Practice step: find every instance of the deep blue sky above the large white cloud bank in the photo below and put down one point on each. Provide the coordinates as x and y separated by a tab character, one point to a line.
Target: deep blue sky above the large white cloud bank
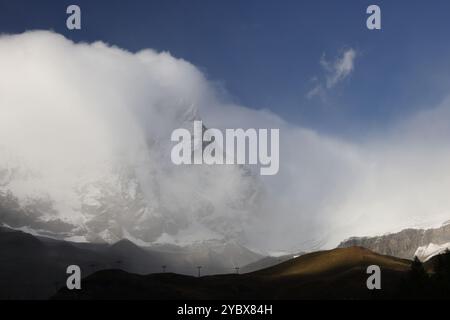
266	53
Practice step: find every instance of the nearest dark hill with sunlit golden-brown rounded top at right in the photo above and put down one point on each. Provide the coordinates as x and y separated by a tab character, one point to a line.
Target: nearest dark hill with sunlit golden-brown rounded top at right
333	274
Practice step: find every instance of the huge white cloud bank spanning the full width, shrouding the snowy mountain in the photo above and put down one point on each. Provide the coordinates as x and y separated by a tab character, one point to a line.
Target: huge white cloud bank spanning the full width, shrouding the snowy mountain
86	127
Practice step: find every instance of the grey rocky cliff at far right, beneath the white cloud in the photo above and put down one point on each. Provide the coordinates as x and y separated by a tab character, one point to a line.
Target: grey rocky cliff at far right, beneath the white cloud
403	244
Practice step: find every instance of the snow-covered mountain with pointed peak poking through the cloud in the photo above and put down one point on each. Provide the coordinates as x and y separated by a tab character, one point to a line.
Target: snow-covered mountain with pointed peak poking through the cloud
143	197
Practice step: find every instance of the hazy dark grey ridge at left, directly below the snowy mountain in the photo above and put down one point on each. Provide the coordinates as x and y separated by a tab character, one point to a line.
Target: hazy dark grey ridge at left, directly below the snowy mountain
35	267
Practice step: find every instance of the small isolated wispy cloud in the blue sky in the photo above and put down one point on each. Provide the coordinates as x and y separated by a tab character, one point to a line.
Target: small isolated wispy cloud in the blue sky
334	72
